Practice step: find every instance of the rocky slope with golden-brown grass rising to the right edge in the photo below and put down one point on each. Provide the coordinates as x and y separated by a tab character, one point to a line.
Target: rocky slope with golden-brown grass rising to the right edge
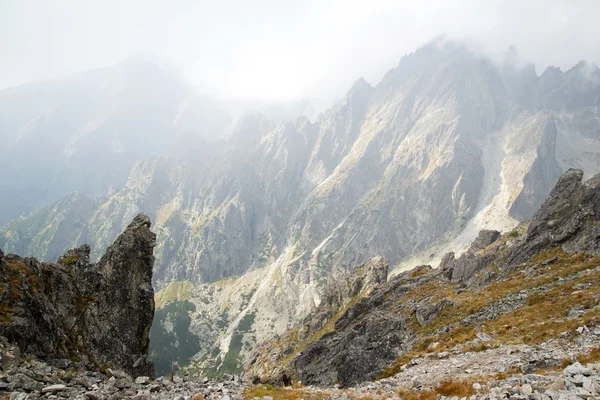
527	287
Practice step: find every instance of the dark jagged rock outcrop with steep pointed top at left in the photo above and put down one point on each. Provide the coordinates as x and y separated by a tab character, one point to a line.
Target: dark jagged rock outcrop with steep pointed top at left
99	314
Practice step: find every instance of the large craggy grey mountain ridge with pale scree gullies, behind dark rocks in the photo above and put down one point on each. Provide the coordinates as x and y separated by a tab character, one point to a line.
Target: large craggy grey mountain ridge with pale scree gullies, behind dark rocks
253	227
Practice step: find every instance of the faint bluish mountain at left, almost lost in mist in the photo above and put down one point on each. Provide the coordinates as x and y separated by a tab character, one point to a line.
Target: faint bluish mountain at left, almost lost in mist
85	133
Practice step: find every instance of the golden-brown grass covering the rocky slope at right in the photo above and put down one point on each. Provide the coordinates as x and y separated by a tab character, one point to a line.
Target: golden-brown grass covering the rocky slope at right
541	318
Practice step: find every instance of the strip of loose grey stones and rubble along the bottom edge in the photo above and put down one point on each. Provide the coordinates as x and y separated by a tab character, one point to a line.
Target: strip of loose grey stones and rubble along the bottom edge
507	371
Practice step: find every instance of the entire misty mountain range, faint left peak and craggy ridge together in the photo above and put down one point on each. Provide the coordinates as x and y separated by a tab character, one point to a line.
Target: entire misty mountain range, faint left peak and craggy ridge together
448	143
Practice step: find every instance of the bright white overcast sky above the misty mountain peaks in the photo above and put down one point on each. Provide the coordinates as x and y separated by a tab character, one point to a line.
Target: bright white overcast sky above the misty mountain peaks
280	49
